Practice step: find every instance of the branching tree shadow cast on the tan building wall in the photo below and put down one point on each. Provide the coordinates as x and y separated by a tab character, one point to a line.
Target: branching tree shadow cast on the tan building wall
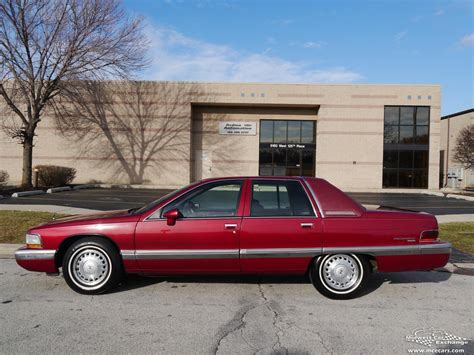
128	123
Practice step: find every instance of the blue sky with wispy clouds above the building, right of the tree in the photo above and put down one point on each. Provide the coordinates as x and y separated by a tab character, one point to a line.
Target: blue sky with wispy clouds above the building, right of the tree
351	41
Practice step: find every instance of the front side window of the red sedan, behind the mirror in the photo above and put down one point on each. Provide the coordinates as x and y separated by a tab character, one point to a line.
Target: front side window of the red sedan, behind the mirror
210	200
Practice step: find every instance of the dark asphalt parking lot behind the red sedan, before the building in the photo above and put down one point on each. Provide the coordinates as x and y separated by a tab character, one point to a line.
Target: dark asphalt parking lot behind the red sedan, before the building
115	198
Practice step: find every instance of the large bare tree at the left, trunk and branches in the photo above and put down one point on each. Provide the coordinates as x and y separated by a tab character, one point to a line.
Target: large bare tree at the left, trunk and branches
47	45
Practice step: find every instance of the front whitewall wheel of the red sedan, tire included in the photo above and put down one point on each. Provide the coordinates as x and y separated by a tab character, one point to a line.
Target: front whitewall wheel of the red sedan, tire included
92	266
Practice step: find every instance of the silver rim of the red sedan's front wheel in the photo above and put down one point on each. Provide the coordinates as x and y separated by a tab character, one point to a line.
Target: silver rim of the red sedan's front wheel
90	267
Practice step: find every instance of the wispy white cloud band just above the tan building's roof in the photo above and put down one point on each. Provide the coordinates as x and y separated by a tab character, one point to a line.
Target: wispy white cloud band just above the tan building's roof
178	57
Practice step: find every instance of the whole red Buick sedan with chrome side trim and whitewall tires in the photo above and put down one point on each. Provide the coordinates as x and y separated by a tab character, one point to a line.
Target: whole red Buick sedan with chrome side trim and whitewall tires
247	225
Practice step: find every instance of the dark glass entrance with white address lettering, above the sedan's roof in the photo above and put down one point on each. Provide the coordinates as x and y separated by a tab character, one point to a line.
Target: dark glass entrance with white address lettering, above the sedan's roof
287	148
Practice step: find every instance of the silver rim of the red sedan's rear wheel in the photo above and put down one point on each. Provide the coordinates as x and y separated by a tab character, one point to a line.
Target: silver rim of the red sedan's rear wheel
341	273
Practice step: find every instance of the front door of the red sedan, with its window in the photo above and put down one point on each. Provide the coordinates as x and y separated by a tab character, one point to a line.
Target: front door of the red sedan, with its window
204	239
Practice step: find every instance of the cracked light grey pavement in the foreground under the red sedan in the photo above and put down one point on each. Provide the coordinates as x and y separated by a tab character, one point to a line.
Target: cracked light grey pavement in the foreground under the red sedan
229	315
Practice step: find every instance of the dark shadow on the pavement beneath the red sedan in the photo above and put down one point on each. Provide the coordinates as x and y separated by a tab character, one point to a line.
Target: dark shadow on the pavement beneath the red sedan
376	280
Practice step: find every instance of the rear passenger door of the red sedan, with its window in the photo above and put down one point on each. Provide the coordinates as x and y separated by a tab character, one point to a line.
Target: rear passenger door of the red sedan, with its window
281	231
